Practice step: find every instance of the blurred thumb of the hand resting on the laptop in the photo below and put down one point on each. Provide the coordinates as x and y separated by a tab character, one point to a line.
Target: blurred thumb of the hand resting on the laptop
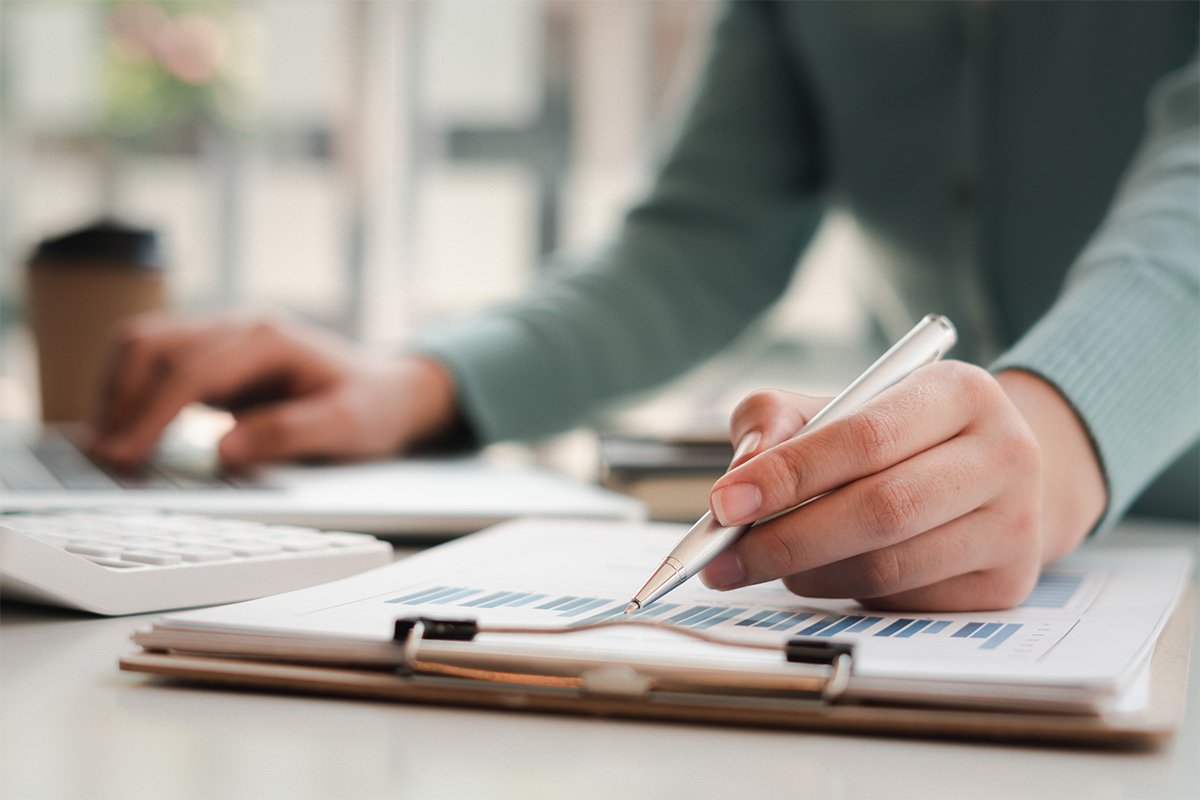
313	426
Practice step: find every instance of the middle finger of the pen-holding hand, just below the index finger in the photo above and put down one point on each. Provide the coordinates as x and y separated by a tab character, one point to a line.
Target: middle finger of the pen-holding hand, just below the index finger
920	495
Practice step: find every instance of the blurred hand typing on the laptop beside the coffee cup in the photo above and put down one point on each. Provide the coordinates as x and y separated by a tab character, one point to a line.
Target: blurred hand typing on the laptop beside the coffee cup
296	393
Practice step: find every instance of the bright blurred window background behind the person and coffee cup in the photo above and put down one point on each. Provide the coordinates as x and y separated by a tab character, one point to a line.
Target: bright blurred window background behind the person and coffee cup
375	166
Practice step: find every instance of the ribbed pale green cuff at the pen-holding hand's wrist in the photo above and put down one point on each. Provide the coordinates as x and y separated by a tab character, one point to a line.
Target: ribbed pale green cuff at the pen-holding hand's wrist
1123	346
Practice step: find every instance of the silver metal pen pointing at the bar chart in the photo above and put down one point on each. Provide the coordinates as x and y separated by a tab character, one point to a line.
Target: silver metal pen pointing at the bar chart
707	539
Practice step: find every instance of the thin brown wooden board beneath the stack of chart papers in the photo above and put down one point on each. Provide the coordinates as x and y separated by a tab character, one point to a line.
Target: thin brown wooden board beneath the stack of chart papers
1148	729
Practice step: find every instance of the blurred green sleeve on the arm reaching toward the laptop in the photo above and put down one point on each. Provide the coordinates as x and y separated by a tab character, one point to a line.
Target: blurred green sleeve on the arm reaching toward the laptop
713	244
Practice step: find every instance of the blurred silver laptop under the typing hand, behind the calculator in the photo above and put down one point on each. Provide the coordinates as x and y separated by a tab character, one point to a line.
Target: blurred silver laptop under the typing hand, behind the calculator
43	468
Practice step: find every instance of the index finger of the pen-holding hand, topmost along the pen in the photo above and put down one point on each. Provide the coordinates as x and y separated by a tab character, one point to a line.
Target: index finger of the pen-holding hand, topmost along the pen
937	404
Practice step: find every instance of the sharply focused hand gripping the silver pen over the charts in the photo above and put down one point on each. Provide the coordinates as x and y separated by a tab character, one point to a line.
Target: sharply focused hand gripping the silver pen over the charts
947	492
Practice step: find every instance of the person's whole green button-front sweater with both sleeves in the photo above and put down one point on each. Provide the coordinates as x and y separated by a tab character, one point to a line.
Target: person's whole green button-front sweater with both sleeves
1031	170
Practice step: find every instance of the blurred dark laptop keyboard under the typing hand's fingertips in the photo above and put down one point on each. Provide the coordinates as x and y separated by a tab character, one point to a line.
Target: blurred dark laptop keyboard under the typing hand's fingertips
51	462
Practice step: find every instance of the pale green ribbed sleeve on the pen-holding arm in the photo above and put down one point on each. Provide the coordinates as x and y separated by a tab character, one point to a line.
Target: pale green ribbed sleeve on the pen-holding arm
1123	342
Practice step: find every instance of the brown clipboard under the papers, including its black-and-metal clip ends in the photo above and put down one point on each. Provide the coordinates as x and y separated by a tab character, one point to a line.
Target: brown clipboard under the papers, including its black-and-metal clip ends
813	705
